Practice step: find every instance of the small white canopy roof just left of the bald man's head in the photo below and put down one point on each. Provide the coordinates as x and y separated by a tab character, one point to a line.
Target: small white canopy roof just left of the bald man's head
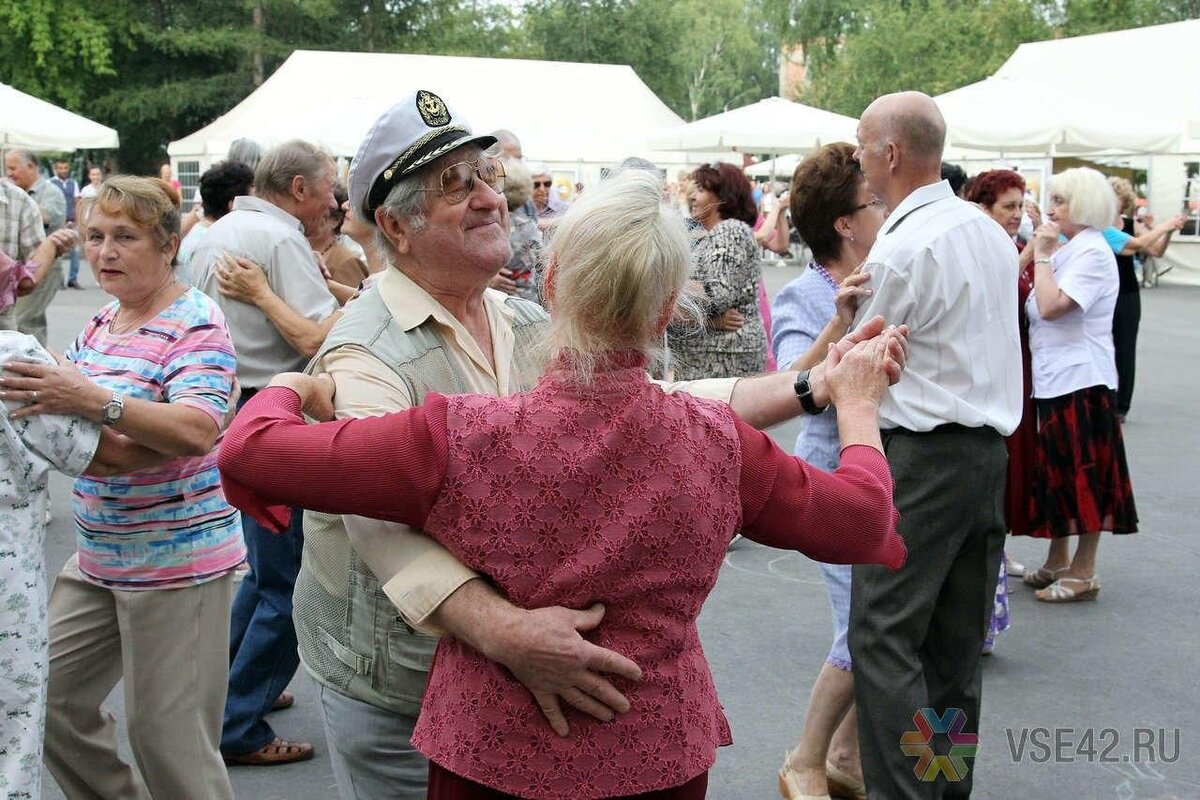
773	125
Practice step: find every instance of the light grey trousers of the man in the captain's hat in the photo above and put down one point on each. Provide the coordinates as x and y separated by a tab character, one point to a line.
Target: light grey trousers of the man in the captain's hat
370	750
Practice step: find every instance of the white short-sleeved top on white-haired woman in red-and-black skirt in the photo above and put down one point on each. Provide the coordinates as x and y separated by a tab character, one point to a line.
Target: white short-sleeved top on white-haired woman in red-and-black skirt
1076	351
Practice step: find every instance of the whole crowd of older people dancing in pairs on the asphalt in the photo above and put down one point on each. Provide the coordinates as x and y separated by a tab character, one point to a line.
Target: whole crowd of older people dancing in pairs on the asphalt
538	430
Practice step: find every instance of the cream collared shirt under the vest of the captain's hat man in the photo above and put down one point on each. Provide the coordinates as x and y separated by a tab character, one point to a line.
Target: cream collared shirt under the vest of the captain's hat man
417	573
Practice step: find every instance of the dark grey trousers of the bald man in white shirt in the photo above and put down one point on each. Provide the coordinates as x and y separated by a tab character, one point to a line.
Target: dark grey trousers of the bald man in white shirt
916	635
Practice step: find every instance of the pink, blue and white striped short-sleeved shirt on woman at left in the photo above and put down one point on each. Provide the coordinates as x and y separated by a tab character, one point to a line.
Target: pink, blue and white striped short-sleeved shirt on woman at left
170	526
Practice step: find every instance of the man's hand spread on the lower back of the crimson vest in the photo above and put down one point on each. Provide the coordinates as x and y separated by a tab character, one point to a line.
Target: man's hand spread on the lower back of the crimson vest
548	655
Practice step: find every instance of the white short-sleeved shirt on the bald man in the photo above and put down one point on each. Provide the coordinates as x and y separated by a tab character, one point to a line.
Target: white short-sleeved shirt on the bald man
949	272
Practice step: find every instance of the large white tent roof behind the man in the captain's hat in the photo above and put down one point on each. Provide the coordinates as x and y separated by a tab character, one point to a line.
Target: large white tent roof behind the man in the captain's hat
562	112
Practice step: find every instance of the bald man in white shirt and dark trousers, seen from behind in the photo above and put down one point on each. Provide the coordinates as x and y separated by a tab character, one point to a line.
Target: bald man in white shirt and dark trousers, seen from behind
944	268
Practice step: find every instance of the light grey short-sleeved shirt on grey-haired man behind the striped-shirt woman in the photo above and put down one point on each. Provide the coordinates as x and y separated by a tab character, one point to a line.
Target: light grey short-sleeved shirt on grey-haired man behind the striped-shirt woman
274	239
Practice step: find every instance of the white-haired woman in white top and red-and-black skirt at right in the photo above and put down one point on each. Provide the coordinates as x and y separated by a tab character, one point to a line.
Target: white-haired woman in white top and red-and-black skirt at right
1082	482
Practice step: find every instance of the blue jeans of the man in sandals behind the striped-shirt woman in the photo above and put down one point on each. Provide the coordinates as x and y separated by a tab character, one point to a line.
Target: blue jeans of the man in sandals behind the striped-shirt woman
263	654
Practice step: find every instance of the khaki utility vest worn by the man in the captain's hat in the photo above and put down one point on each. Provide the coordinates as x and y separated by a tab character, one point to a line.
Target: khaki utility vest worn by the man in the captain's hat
352	637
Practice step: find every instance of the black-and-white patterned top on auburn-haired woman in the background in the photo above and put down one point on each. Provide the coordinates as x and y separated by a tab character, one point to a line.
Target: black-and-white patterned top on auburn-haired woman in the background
727	264
